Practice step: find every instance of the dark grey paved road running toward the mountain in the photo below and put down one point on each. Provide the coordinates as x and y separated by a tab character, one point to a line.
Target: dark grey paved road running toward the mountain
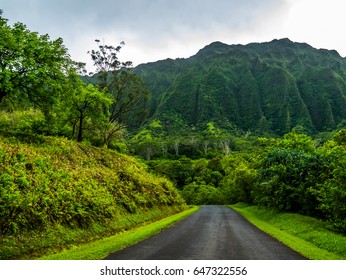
212	233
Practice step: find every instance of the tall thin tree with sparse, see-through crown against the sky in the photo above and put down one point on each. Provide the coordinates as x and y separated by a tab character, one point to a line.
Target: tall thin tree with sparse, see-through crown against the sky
127	90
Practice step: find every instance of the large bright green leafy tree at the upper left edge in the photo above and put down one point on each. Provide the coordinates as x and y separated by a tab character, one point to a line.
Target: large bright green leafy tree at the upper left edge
32	66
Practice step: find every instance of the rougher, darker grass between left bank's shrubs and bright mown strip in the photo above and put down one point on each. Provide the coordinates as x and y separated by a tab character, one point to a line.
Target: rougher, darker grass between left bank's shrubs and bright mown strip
52	240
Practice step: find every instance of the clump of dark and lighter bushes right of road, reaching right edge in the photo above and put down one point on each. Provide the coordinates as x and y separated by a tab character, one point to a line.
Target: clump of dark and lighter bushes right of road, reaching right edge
296	176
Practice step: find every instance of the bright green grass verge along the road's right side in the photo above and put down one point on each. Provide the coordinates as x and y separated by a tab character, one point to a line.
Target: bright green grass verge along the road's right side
306	235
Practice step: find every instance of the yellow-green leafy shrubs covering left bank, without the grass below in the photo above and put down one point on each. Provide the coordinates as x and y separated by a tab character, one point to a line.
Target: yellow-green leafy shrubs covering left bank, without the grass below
60	183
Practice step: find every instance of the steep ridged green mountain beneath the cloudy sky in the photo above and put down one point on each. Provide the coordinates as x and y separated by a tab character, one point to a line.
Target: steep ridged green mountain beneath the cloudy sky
261	87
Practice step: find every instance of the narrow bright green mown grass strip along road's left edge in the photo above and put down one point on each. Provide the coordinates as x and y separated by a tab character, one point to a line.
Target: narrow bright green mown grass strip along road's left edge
102	248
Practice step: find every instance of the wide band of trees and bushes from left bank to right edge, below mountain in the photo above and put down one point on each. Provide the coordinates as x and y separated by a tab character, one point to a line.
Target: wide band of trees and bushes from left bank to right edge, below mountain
292	173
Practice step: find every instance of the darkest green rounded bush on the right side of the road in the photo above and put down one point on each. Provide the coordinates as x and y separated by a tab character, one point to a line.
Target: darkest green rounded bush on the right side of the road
290	181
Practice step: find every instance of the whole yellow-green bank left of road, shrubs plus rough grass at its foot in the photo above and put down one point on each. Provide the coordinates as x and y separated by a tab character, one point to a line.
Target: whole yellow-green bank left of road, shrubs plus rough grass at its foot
54	187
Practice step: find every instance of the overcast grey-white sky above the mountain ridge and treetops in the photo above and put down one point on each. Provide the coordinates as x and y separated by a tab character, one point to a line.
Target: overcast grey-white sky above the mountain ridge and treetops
159	29
